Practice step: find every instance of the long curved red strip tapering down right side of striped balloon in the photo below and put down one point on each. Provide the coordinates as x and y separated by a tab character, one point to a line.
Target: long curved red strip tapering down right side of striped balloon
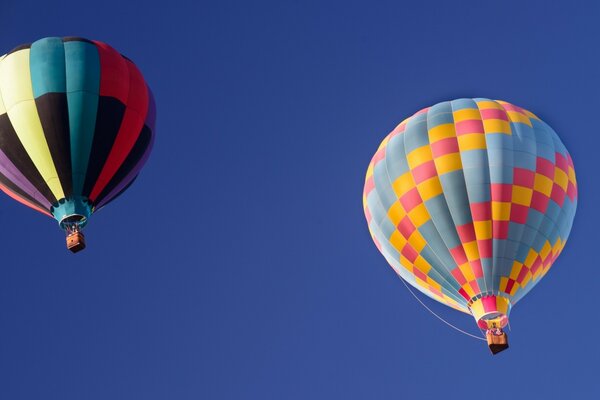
131	126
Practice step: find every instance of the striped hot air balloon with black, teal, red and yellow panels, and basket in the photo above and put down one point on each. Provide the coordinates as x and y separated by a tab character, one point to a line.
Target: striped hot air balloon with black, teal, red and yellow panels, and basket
76	126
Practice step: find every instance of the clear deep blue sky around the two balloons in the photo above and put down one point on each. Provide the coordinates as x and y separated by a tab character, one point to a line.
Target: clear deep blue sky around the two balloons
239	265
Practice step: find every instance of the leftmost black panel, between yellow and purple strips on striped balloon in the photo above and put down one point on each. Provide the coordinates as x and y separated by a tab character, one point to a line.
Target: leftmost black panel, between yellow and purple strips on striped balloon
14	150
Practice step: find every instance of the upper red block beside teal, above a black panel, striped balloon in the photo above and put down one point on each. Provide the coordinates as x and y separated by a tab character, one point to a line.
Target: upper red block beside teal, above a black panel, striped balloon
114	74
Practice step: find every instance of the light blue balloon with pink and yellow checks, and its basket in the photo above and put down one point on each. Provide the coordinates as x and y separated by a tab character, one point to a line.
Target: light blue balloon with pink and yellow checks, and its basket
471	201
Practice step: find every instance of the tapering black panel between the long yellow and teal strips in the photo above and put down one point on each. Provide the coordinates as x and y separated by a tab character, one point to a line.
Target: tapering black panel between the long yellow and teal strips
54	116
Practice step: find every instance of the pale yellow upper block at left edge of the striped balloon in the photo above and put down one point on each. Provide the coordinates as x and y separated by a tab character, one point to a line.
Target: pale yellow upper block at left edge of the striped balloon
15	78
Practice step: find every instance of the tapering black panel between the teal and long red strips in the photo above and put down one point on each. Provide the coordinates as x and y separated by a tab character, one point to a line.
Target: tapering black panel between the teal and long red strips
108	121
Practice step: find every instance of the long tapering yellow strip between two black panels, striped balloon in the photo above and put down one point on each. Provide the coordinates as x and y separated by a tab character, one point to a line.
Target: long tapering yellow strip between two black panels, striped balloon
25	120
